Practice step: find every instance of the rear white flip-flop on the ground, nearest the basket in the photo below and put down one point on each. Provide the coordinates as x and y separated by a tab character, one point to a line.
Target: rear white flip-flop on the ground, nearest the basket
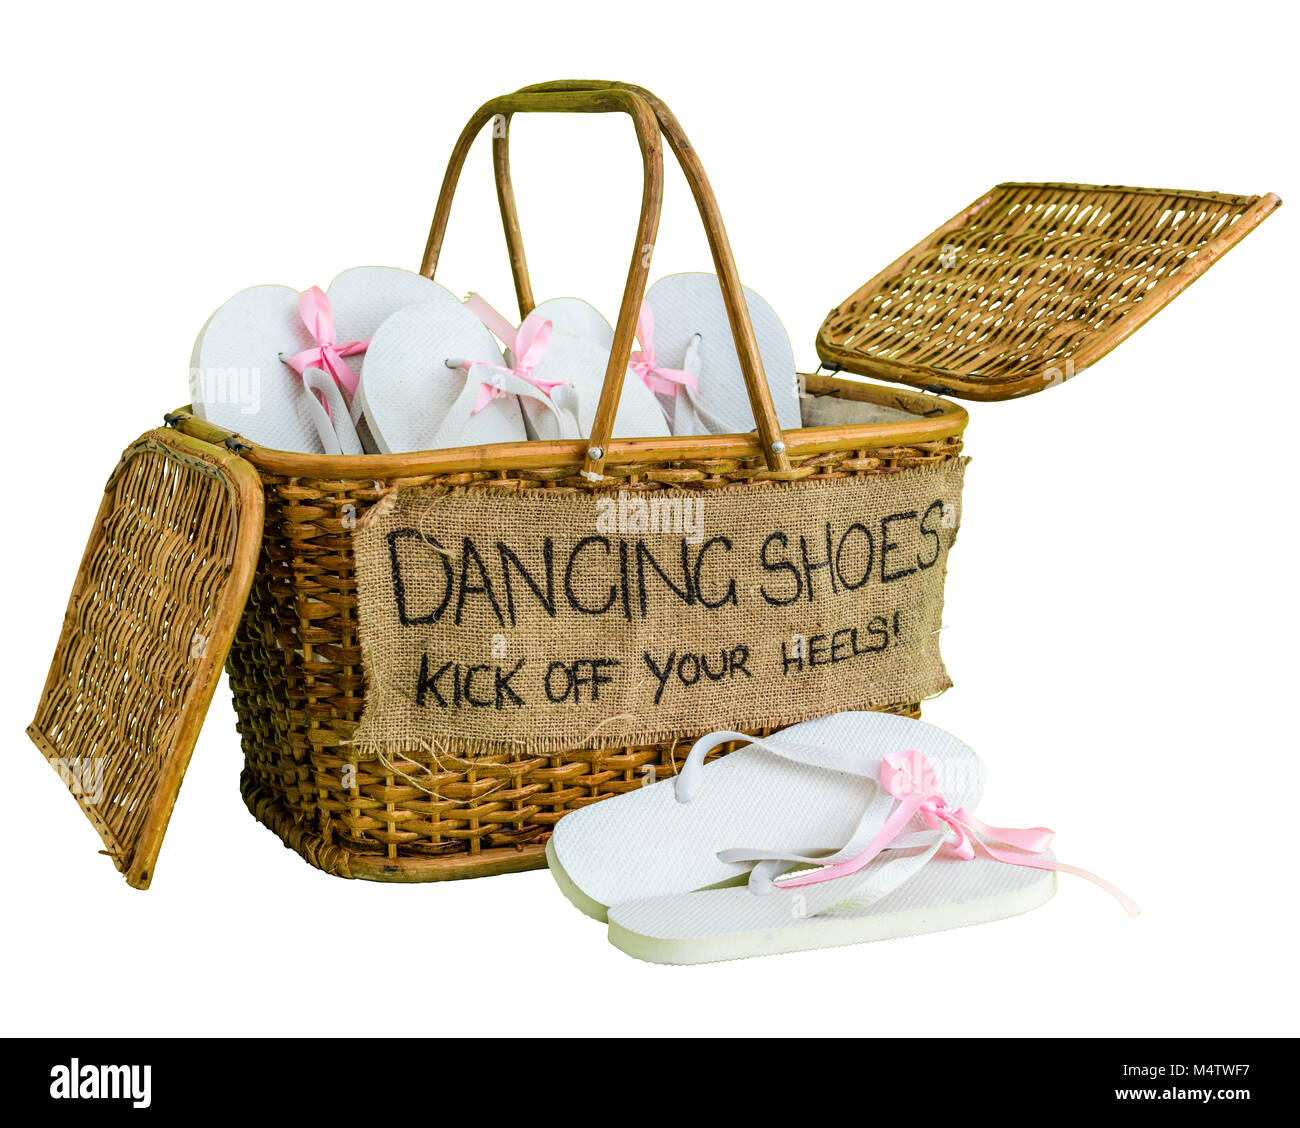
813	787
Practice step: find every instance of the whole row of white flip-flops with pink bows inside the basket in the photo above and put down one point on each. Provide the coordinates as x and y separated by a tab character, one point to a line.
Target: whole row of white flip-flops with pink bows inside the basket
388	361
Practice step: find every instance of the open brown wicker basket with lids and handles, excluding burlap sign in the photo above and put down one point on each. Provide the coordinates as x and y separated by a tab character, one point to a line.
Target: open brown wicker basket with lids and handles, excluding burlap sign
211	550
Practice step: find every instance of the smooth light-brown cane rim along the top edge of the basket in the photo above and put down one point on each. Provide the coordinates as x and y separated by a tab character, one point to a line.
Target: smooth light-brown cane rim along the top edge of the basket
937	420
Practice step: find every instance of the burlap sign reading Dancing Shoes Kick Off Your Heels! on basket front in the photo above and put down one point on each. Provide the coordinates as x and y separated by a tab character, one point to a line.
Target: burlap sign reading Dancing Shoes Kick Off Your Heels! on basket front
543	621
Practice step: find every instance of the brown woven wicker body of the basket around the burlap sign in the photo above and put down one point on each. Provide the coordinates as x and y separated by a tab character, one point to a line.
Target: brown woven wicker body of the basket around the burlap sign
296	670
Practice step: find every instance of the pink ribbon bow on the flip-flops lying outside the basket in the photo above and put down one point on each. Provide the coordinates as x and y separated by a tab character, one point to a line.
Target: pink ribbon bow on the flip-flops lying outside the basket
911	779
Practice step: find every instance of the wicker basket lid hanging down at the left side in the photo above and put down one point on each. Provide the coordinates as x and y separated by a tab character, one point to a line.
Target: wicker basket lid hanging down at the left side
149	626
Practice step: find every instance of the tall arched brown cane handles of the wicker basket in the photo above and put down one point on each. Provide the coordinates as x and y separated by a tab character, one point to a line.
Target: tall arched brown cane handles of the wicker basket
649	116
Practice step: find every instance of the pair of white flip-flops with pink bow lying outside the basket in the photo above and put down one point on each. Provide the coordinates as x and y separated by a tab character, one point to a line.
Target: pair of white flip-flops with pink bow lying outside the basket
838	831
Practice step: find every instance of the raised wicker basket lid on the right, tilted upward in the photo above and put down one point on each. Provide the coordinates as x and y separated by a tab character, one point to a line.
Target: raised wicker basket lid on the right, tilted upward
1030	285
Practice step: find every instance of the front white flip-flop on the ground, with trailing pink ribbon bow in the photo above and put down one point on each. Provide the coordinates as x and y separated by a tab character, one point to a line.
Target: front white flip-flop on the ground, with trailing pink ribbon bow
929	866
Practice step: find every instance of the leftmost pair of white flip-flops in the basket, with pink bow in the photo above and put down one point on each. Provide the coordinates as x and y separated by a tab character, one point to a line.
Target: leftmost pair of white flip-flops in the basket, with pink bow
250	363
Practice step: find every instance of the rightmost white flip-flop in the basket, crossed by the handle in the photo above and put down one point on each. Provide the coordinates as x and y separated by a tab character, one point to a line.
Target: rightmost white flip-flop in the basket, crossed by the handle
690	314
